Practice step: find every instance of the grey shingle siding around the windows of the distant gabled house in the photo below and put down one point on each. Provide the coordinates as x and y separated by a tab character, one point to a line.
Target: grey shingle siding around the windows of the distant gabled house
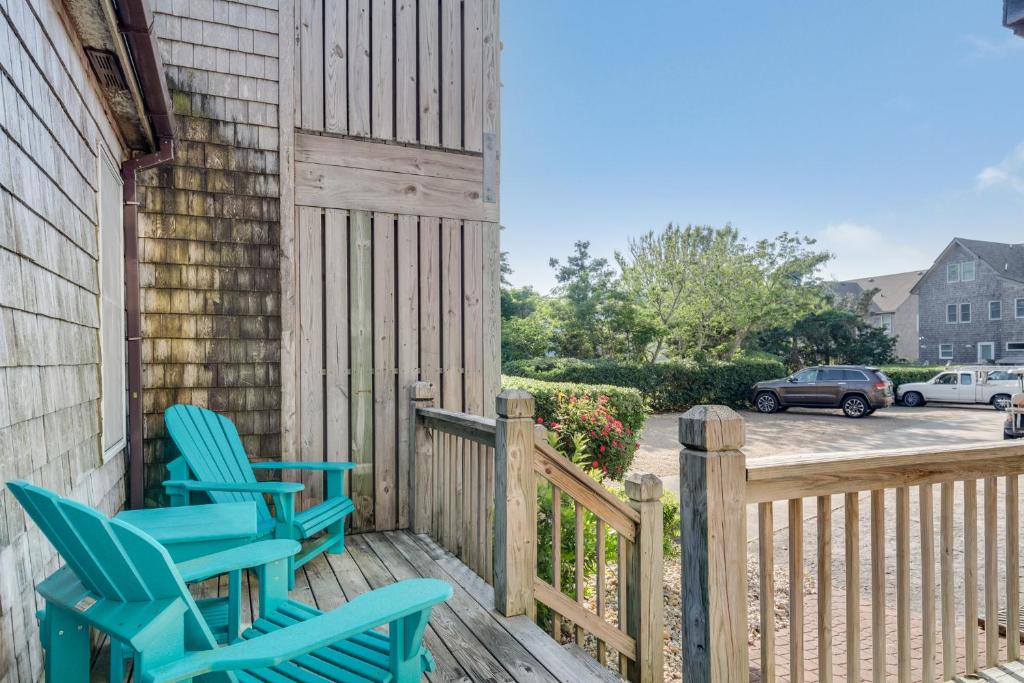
935	294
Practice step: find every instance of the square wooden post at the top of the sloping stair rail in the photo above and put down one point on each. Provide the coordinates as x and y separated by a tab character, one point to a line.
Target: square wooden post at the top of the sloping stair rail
516	504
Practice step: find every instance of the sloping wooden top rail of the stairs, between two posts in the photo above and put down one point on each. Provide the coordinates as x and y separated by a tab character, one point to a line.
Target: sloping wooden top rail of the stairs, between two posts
563	473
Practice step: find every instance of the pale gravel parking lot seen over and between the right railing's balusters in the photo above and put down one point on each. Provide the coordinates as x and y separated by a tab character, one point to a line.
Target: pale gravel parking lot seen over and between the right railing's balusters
815	432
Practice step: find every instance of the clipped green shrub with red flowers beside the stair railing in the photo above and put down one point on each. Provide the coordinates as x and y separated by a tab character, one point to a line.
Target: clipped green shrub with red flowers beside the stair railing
599	425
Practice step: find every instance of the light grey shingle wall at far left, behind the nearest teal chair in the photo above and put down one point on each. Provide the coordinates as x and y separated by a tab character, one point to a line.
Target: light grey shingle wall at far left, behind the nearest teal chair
52	122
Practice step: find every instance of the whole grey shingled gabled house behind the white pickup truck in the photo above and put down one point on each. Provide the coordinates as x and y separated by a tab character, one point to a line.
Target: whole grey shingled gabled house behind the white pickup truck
972	305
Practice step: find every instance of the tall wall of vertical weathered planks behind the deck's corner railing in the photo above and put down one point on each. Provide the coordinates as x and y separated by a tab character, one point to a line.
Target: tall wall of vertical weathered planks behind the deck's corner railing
391	271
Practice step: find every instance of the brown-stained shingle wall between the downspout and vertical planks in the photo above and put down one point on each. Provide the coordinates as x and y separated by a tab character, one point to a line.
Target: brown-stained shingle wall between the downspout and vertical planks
209	229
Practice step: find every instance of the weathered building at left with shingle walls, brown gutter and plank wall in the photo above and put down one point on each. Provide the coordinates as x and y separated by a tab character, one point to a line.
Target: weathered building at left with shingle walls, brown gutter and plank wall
312	179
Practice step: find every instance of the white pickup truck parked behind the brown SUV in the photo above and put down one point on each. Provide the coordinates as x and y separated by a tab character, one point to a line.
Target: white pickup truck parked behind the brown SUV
962	386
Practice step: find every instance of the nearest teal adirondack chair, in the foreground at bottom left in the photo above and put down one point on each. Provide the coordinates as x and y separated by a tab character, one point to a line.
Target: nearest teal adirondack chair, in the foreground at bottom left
118	580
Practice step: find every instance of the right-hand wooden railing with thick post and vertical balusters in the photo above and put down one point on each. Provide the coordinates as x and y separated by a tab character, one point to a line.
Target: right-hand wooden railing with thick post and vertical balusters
940	604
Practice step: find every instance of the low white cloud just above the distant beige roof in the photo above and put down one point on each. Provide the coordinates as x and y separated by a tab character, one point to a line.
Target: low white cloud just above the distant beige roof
863	251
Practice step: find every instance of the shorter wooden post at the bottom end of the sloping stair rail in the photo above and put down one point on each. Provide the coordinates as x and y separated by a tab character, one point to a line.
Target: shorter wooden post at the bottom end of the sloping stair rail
646	611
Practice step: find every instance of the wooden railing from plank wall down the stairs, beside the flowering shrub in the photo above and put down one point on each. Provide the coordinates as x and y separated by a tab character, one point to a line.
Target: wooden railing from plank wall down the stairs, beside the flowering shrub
477	489
